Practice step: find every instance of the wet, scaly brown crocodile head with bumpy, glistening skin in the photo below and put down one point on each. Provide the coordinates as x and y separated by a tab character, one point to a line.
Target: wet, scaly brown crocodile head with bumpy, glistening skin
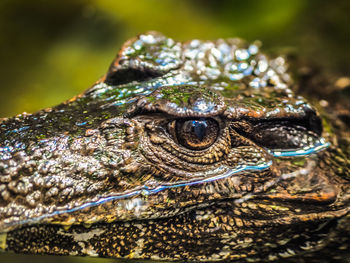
184	151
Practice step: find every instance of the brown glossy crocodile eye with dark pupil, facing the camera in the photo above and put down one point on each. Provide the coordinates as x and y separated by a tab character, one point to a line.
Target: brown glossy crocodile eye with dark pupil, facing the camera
196	134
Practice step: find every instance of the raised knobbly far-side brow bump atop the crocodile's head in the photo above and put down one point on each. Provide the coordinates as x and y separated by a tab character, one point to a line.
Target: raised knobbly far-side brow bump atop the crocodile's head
143	58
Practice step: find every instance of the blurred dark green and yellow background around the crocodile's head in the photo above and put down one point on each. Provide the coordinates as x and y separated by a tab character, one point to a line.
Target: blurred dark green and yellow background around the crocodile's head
53	50
